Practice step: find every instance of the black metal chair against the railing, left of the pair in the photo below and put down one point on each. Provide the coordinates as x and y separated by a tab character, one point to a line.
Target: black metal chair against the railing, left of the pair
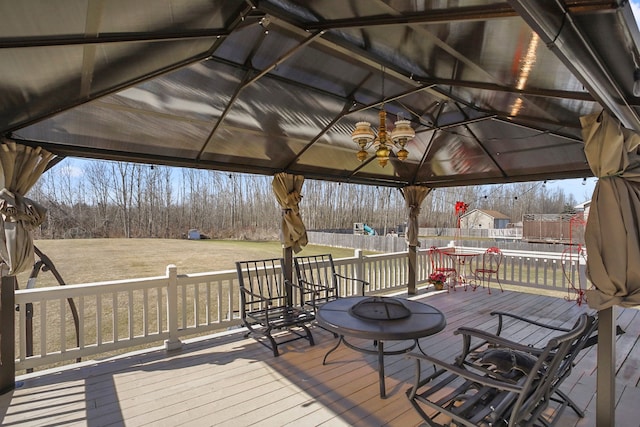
267	303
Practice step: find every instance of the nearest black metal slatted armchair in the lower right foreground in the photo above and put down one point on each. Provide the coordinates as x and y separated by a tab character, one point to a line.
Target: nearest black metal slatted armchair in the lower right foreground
505	384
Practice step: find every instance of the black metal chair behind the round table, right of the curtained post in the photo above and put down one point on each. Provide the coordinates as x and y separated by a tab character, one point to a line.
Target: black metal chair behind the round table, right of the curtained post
320	283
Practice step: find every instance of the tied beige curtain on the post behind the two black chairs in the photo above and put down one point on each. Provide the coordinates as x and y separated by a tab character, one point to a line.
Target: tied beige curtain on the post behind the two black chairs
287	189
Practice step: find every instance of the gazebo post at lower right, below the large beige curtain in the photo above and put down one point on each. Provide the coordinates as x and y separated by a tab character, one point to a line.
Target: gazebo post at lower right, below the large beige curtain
606	374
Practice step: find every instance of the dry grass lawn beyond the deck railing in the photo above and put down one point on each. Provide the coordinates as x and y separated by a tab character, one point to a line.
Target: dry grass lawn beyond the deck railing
98	260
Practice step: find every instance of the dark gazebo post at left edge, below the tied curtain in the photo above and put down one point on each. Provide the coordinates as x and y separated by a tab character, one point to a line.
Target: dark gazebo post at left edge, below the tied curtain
7	334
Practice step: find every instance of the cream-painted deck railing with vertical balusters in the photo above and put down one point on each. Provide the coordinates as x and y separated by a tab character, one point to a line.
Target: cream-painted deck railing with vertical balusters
131	314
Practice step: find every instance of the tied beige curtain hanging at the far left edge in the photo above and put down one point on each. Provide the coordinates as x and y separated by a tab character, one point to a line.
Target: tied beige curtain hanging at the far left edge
21	168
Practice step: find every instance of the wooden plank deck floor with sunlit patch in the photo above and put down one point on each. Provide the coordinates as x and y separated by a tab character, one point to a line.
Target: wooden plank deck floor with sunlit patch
227	380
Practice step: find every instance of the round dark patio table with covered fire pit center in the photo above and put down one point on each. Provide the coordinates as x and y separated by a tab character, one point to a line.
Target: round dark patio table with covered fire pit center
379	319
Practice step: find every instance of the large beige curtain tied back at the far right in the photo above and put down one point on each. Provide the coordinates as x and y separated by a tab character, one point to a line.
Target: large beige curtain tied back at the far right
612	235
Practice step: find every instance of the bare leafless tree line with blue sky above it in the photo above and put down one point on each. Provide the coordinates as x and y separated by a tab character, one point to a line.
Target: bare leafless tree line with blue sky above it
120	199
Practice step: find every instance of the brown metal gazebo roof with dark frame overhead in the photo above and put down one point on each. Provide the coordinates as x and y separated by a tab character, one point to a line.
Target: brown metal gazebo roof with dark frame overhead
494	90
